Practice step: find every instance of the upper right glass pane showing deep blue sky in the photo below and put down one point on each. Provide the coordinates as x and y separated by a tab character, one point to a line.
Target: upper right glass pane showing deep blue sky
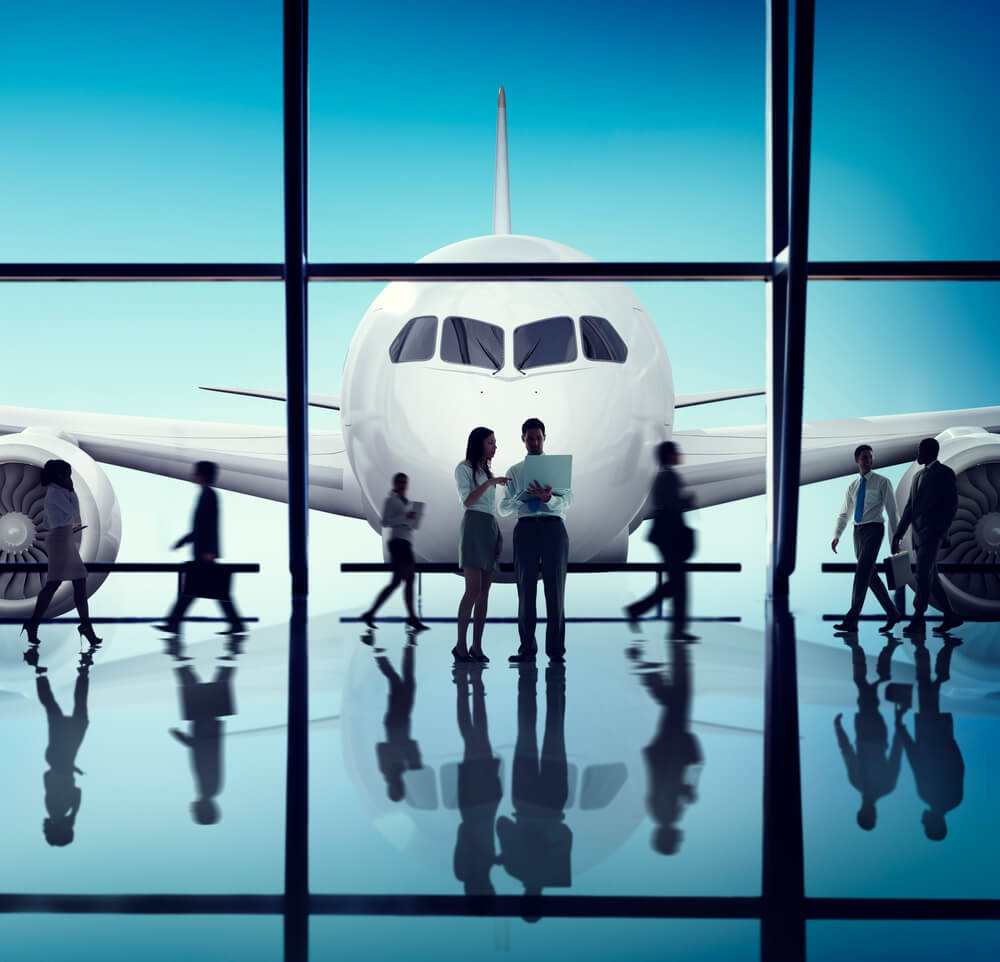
904	141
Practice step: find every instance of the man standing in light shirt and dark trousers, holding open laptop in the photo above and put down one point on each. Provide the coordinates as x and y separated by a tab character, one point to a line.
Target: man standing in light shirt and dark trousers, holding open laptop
540	544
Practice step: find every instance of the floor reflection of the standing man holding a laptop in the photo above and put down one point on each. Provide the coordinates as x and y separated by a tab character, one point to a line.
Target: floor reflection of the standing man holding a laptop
535	846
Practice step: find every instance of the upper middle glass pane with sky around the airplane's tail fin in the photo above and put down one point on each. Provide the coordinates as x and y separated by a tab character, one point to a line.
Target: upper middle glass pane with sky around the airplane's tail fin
599	161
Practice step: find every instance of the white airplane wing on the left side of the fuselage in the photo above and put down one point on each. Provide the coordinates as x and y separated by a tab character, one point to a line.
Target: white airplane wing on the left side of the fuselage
252	459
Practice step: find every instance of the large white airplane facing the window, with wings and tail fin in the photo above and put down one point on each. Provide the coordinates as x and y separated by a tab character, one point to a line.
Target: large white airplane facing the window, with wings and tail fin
428	362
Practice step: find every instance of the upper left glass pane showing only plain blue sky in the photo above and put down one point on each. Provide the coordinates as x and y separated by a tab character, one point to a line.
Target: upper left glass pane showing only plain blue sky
142	136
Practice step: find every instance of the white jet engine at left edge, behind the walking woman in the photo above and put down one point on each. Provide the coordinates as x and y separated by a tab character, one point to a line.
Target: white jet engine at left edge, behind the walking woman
22	522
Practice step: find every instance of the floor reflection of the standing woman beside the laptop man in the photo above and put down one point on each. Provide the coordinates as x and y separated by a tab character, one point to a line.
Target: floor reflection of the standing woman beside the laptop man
479	789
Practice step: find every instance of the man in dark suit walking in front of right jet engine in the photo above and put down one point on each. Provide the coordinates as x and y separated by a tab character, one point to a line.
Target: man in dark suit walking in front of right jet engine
930	509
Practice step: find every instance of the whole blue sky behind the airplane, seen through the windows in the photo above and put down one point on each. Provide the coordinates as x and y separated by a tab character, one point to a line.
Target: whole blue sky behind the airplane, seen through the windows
153	132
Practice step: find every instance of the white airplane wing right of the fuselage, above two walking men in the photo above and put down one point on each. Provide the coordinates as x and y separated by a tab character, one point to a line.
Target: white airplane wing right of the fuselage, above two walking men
727	464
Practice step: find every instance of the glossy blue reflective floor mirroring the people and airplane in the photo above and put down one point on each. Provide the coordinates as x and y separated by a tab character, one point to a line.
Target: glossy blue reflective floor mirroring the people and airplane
150	767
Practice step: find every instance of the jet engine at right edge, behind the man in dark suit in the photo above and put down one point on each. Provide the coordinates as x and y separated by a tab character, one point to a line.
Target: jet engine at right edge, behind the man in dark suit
974	537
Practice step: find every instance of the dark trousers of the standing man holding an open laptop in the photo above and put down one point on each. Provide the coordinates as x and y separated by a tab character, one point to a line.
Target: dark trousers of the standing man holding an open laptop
541	544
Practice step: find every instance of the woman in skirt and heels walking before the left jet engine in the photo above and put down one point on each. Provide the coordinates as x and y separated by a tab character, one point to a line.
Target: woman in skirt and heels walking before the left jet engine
62	519
